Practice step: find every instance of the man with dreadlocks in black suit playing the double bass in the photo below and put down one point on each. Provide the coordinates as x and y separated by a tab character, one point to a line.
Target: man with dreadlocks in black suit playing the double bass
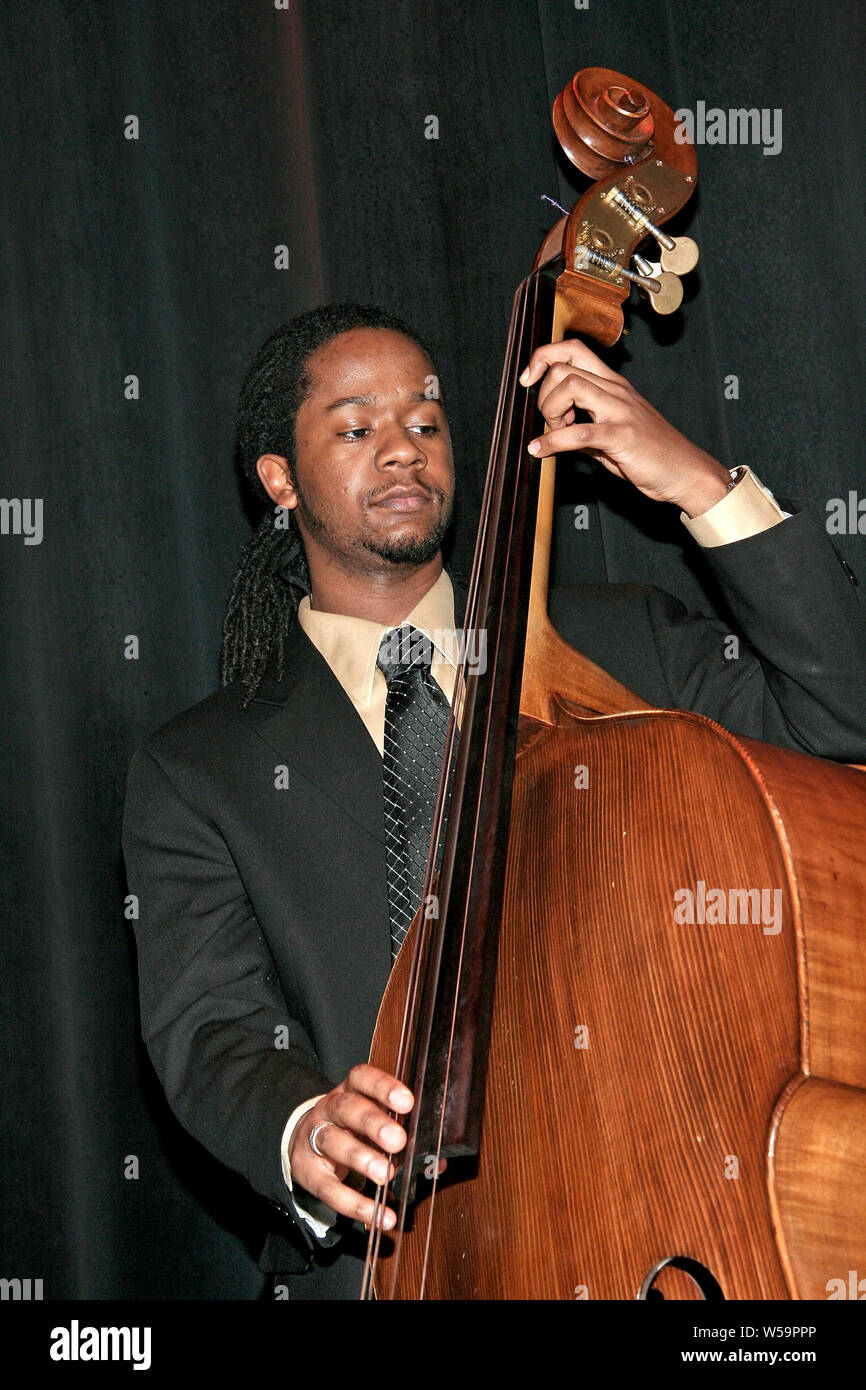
255	828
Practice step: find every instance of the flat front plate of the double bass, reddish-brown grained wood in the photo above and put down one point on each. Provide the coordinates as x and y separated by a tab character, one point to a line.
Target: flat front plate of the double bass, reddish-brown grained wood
611	1159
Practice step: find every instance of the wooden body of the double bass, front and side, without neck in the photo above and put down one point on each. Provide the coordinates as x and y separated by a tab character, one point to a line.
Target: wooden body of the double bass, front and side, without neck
679	1107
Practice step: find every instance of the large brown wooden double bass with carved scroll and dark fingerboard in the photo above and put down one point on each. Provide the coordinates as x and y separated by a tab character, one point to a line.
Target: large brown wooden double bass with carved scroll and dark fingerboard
630	1106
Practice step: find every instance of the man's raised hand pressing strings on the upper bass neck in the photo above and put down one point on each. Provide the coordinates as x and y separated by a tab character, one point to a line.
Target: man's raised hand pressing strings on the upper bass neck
626	434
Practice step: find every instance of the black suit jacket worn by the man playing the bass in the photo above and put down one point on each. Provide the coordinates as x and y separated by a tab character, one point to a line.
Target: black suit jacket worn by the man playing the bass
263	935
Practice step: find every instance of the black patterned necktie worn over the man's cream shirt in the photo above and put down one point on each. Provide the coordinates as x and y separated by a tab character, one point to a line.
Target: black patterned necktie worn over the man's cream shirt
416	723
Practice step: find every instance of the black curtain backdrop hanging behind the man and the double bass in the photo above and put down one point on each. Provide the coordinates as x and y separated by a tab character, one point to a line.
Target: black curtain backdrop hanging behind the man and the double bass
155	258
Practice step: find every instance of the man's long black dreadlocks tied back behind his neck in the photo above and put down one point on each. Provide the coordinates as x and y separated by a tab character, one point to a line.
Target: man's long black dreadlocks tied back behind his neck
273	575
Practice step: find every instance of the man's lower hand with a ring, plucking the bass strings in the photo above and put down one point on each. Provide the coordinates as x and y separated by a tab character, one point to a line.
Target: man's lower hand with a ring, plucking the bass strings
359	1136
